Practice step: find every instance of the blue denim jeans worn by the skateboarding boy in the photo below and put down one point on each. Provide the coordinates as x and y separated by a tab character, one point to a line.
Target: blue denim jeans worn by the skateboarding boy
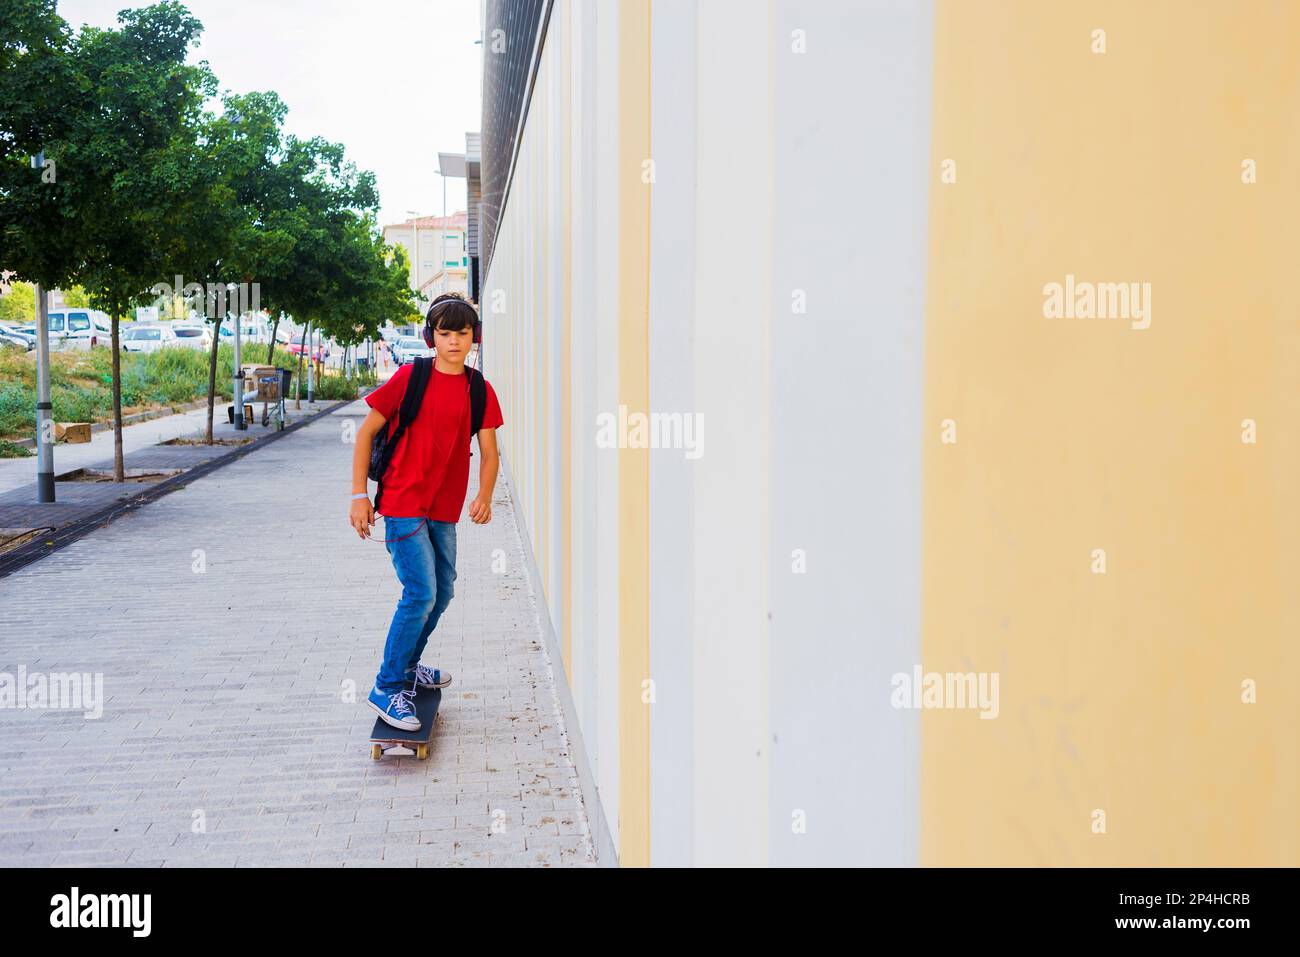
426	564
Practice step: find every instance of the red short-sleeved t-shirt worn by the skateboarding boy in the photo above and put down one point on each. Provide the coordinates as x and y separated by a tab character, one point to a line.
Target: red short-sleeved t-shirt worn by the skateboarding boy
430	471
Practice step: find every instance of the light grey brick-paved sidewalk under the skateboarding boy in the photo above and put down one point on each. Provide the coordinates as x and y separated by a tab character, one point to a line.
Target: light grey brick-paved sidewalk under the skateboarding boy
231	620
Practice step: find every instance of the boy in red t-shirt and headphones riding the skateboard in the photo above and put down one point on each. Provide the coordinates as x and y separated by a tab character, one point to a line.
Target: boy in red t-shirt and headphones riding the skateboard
424	477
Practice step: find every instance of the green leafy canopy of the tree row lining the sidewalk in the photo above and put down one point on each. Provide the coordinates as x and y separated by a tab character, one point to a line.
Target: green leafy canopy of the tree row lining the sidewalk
150	176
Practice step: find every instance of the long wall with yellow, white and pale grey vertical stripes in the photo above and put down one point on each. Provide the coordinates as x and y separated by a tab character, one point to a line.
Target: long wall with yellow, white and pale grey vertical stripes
824	231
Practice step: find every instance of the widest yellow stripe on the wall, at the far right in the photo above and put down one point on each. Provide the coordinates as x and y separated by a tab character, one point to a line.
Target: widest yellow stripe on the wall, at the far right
1120	692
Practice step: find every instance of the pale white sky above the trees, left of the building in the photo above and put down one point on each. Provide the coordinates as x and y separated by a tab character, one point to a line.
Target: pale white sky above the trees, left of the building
395	81
